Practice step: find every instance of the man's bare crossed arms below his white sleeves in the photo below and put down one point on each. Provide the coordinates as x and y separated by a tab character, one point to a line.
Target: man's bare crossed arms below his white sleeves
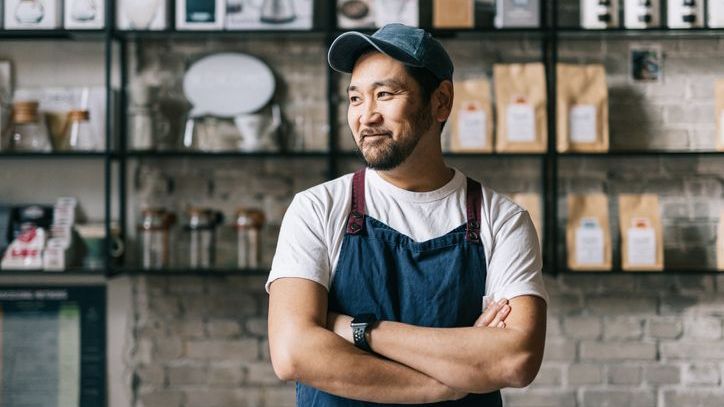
420	365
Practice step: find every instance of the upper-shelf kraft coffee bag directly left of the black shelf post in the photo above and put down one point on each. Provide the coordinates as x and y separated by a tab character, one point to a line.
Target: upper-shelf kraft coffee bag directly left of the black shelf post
520	98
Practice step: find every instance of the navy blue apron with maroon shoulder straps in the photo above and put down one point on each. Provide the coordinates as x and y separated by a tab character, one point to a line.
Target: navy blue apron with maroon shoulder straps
437	283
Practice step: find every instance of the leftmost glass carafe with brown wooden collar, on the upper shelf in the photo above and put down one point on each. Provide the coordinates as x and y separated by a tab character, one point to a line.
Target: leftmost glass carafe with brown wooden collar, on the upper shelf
27	131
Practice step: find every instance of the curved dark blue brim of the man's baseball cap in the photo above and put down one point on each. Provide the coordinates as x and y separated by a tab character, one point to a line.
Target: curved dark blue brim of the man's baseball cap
346	49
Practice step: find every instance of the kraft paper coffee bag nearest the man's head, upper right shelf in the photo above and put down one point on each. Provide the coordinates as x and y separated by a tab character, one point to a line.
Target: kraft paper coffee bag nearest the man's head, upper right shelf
472	117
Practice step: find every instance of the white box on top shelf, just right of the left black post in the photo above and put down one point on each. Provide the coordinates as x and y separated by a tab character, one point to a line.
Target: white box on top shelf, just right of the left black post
142	15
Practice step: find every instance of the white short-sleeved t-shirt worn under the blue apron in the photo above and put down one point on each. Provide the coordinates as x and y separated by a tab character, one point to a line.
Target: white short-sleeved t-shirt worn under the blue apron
313	227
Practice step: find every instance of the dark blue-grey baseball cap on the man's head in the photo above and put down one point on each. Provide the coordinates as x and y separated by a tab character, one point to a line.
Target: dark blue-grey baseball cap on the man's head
409	45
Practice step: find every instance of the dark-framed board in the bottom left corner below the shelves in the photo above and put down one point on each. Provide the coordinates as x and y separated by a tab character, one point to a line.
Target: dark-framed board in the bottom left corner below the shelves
52	346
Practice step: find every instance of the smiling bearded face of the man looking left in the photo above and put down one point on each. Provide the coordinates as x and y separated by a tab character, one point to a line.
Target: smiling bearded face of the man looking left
386	112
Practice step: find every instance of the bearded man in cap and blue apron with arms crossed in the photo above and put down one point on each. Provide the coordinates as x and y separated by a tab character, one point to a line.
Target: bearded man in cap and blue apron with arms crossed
379	276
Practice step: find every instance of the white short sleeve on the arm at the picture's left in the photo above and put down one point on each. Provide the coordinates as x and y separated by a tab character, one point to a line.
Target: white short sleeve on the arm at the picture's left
301	249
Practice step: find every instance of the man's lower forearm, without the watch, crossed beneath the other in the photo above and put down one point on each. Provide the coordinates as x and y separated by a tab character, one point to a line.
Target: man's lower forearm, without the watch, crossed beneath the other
325	361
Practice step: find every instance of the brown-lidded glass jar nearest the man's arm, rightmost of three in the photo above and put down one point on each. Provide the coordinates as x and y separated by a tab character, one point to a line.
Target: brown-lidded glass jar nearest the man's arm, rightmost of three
249	223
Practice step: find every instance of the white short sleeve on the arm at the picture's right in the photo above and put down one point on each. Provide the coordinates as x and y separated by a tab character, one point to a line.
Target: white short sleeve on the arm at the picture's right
515	266
